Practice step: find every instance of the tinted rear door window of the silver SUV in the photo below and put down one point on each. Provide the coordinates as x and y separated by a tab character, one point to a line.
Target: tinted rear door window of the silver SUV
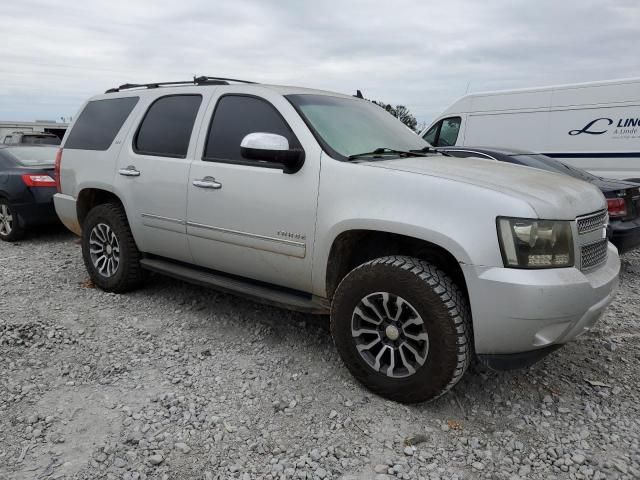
166	128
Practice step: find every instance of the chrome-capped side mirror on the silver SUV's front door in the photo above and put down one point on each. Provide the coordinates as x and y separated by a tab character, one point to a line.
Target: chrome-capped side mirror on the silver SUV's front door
271	147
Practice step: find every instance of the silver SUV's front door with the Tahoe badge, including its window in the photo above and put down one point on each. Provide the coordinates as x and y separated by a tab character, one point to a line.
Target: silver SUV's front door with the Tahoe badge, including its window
254	220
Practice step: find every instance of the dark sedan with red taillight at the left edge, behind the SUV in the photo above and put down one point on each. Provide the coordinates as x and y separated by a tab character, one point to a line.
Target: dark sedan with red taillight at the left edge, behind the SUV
27	186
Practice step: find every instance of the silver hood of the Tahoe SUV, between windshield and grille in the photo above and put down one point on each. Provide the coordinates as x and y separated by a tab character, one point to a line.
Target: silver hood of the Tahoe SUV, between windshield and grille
551	195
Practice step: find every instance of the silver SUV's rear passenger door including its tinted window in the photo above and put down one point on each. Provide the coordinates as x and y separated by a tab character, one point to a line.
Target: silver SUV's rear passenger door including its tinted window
153	169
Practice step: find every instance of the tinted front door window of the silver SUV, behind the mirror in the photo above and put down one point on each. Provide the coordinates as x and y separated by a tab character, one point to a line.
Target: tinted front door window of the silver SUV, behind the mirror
236	116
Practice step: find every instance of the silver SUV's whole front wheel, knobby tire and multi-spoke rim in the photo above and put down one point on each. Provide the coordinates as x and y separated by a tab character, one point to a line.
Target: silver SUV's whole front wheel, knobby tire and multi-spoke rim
403	328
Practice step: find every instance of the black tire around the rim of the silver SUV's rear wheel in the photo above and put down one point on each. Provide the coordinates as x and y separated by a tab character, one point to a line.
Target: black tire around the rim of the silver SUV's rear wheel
129	273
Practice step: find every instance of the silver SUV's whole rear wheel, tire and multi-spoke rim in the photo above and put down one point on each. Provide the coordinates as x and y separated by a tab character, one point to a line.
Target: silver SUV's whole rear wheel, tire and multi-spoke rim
109	250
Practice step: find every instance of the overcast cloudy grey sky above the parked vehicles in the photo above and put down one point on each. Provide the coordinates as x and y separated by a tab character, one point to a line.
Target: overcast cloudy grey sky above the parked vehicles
423	55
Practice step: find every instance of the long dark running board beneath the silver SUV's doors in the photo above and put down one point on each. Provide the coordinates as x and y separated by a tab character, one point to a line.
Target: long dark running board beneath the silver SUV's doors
245	288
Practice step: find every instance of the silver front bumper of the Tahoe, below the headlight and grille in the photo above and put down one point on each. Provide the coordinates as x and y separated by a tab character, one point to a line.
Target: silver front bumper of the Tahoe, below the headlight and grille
516	311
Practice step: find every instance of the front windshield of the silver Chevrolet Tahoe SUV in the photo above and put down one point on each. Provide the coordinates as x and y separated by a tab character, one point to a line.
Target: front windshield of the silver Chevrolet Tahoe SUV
351	126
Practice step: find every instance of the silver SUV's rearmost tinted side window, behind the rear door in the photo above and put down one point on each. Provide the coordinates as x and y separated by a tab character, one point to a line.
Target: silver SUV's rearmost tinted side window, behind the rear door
99	123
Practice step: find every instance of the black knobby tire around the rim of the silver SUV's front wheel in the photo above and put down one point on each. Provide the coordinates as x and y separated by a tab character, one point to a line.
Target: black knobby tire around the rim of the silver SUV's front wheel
430	293
